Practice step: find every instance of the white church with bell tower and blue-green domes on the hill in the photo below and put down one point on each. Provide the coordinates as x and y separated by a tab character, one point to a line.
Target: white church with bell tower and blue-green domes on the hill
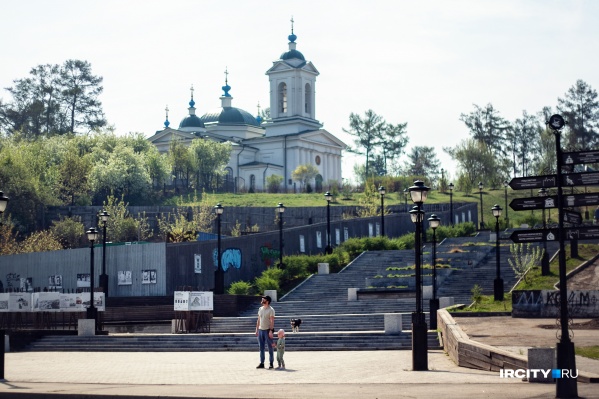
292	136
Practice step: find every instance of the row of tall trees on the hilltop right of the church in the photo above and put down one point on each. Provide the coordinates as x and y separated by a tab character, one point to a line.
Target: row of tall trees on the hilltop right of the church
496	150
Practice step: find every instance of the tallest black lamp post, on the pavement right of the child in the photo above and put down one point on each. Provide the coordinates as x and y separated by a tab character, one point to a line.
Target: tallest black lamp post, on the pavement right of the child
419	193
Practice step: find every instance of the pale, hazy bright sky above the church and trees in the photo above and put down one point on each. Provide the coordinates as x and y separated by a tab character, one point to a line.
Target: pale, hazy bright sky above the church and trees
420	62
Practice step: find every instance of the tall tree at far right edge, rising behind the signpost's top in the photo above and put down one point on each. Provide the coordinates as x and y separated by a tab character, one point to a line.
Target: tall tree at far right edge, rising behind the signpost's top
580	108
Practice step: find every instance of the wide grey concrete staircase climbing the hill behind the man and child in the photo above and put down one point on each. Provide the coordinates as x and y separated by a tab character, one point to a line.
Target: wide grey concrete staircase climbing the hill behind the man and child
329	320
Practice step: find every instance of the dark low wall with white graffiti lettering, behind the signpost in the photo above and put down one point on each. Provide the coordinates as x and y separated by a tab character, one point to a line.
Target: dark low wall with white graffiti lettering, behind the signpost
545	303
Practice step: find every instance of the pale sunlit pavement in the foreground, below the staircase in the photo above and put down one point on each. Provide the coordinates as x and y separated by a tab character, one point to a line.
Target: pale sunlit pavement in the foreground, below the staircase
369	374
